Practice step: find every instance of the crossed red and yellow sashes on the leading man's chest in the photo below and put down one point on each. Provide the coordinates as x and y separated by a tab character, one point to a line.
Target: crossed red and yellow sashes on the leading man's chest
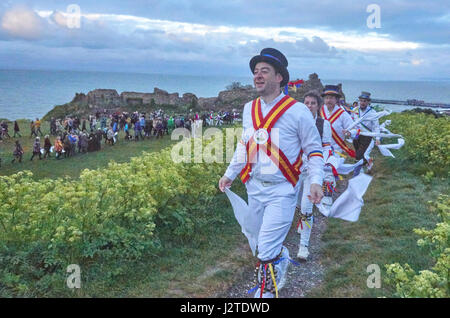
290	171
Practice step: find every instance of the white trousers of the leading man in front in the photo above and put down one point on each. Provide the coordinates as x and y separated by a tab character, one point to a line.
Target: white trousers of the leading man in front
277	205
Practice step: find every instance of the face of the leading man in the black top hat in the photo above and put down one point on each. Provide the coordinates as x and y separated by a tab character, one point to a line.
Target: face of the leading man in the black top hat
266	79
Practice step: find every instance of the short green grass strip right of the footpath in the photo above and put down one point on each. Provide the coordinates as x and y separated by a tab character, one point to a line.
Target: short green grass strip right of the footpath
395	204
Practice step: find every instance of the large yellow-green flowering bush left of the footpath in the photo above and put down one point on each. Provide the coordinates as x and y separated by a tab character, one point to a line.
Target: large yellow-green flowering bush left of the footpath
120	212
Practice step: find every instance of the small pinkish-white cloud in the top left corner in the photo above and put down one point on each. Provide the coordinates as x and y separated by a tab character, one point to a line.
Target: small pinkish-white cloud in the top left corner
22	22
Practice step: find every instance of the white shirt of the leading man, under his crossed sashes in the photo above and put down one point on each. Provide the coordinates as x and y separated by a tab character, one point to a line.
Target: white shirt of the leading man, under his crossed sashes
294	130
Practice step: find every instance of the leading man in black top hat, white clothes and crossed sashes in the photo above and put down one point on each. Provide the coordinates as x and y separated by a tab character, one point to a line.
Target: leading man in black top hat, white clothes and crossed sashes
277	130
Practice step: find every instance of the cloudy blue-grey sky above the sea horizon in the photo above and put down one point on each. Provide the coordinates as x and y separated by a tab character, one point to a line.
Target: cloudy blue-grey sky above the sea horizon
379	40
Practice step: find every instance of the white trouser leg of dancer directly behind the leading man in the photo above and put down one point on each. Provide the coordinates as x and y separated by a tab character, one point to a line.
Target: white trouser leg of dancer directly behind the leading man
306	207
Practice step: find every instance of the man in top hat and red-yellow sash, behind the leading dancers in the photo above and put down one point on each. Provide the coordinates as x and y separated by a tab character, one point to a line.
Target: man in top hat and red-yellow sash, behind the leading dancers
339	119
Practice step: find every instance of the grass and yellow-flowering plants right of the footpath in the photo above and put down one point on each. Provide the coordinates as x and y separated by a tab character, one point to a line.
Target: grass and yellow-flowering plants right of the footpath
396	203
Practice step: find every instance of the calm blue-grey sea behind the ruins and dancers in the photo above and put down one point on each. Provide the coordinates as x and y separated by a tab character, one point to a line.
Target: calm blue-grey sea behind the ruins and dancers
30	94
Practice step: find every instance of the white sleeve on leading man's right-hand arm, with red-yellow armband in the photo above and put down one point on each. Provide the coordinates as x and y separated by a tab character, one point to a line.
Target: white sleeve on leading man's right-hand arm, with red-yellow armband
312	146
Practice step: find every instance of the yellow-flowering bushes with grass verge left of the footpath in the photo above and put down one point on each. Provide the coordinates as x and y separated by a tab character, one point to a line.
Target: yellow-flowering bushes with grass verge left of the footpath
137	228
